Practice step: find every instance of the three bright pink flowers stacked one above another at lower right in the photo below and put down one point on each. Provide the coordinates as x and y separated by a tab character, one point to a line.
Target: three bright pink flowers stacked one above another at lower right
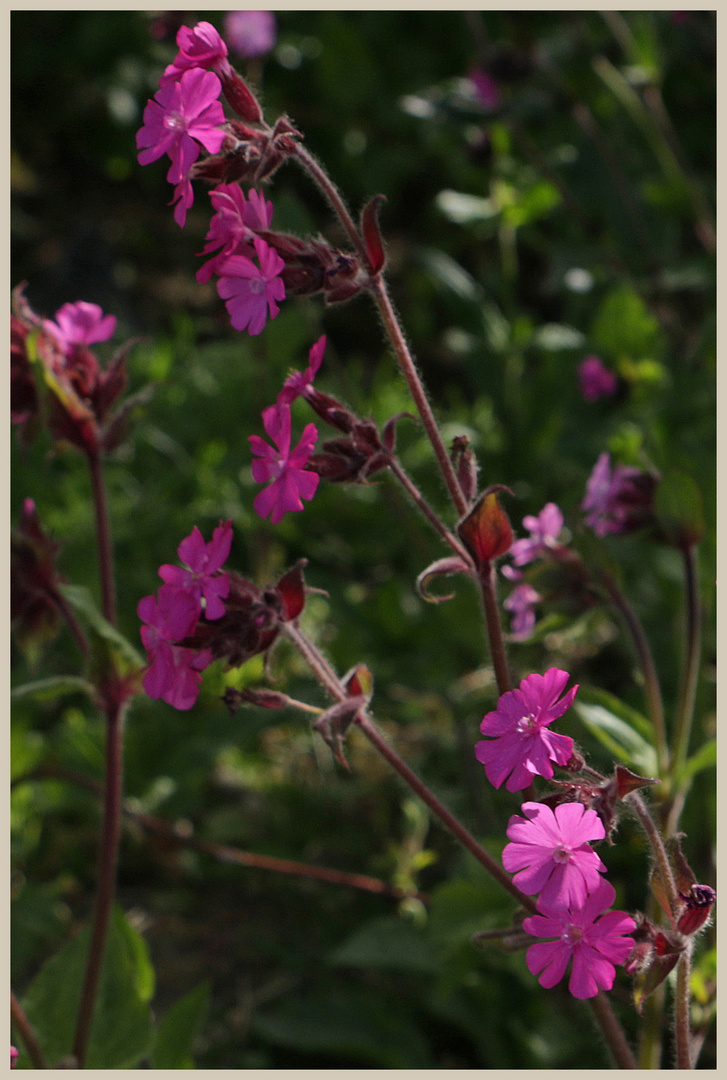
550	850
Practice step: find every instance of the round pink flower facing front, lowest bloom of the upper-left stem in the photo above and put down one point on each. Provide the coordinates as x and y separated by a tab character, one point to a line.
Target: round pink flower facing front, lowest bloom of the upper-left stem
251	292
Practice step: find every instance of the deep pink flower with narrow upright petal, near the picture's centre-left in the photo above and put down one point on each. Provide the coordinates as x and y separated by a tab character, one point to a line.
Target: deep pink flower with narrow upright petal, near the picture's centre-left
291	481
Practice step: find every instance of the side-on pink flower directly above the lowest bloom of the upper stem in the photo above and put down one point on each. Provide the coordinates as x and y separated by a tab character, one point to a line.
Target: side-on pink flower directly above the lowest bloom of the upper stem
234	226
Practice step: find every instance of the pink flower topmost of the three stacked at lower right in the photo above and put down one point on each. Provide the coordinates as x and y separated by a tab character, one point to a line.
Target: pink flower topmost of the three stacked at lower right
520	746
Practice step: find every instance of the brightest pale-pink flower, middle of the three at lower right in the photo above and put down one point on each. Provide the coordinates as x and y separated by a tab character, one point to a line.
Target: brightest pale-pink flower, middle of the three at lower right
551	853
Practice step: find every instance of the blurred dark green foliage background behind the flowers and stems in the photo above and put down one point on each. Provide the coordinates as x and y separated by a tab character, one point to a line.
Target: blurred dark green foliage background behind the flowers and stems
571	219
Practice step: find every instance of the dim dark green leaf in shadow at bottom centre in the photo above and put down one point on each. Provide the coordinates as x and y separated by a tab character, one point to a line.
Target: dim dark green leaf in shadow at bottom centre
387	944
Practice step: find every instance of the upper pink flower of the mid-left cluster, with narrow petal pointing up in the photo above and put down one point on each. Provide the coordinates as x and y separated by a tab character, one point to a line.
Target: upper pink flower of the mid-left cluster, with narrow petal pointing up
203	580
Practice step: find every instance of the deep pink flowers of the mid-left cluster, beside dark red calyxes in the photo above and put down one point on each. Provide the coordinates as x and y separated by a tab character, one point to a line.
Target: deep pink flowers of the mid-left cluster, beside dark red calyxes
190	593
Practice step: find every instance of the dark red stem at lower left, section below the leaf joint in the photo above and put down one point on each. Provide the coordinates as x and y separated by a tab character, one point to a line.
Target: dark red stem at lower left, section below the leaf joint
106	888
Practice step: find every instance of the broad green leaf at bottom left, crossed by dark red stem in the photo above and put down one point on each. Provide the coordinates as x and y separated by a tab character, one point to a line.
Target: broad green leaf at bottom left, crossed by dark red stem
122	1033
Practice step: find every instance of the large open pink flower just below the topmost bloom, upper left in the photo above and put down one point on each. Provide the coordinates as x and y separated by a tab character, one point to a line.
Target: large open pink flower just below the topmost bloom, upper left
180	118
